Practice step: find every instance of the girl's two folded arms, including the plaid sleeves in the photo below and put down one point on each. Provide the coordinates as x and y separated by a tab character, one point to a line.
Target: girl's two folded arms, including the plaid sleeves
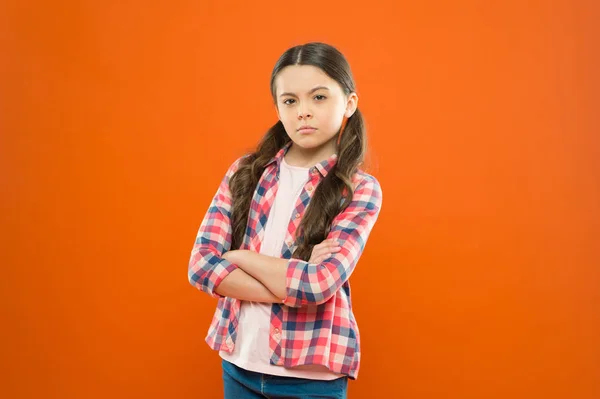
247	275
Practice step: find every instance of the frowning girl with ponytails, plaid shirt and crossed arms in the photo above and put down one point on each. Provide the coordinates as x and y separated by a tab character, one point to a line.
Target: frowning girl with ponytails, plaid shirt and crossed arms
283	234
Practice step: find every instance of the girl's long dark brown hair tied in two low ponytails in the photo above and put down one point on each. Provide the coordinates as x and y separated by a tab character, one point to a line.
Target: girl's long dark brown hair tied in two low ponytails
326	202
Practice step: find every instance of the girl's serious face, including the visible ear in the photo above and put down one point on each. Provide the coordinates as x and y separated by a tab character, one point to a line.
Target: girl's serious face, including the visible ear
306	96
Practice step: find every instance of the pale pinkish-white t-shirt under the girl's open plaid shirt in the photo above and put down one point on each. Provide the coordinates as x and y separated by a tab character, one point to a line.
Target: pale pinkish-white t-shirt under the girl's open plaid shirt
251	349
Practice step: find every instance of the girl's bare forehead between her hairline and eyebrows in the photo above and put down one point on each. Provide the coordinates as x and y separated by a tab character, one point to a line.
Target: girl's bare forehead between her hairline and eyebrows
301	79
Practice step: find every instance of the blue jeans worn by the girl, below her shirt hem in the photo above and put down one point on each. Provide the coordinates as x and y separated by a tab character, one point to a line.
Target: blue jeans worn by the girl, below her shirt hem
244	384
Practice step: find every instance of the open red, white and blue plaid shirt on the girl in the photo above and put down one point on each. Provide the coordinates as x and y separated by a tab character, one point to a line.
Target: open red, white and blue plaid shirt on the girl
315	323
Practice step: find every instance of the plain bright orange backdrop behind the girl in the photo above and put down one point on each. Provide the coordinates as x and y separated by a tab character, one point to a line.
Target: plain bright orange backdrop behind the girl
118	120
